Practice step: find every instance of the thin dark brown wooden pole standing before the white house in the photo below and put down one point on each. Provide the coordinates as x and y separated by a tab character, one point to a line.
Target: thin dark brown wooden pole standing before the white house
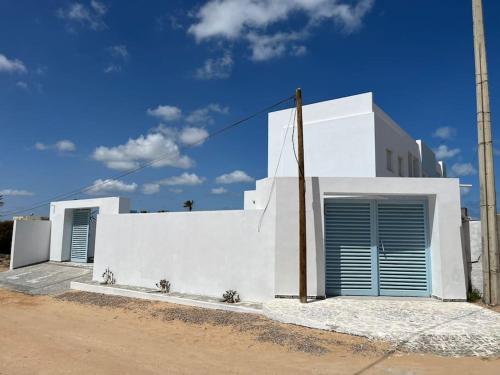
302	201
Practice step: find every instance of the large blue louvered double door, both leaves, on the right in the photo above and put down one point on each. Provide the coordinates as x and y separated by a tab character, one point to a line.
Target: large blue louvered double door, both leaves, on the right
376	248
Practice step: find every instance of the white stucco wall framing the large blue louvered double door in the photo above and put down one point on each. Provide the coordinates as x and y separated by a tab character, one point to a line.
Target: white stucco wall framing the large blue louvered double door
443	196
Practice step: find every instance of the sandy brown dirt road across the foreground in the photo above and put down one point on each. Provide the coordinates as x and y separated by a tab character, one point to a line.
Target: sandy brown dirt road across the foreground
84	333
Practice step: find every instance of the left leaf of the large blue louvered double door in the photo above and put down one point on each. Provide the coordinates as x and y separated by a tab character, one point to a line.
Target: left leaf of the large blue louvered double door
349	247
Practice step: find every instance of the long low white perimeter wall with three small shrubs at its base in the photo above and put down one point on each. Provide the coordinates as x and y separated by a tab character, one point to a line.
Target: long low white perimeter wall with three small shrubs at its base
198	252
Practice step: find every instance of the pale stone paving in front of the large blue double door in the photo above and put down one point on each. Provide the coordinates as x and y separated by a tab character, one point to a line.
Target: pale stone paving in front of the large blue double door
420	325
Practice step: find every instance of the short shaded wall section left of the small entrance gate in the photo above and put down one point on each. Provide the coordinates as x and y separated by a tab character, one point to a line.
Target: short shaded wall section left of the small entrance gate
30	242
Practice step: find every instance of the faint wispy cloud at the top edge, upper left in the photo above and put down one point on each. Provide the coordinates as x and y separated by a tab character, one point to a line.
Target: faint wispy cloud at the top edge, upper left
91	15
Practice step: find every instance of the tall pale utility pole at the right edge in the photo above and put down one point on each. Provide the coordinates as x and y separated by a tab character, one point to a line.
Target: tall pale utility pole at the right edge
490	254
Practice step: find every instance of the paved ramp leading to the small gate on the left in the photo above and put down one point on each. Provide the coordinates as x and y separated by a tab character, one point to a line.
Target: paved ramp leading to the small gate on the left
45	278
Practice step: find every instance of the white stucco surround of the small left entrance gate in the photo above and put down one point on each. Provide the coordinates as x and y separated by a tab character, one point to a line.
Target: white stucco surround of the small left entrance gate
61	217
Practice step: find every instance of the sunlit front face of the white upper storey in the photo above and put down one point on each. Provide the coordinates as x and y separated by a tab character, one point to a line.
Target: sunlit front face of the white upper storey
338	139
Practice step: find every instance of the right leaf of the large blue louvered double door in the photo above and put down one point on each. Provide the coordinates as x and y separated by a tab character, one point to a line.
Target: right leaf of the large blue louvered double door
403	255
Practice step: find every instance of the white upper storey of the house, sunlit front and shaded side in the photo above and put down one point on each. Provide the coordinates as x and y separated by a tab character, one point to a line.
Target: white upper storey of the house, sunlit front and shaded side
347	137
